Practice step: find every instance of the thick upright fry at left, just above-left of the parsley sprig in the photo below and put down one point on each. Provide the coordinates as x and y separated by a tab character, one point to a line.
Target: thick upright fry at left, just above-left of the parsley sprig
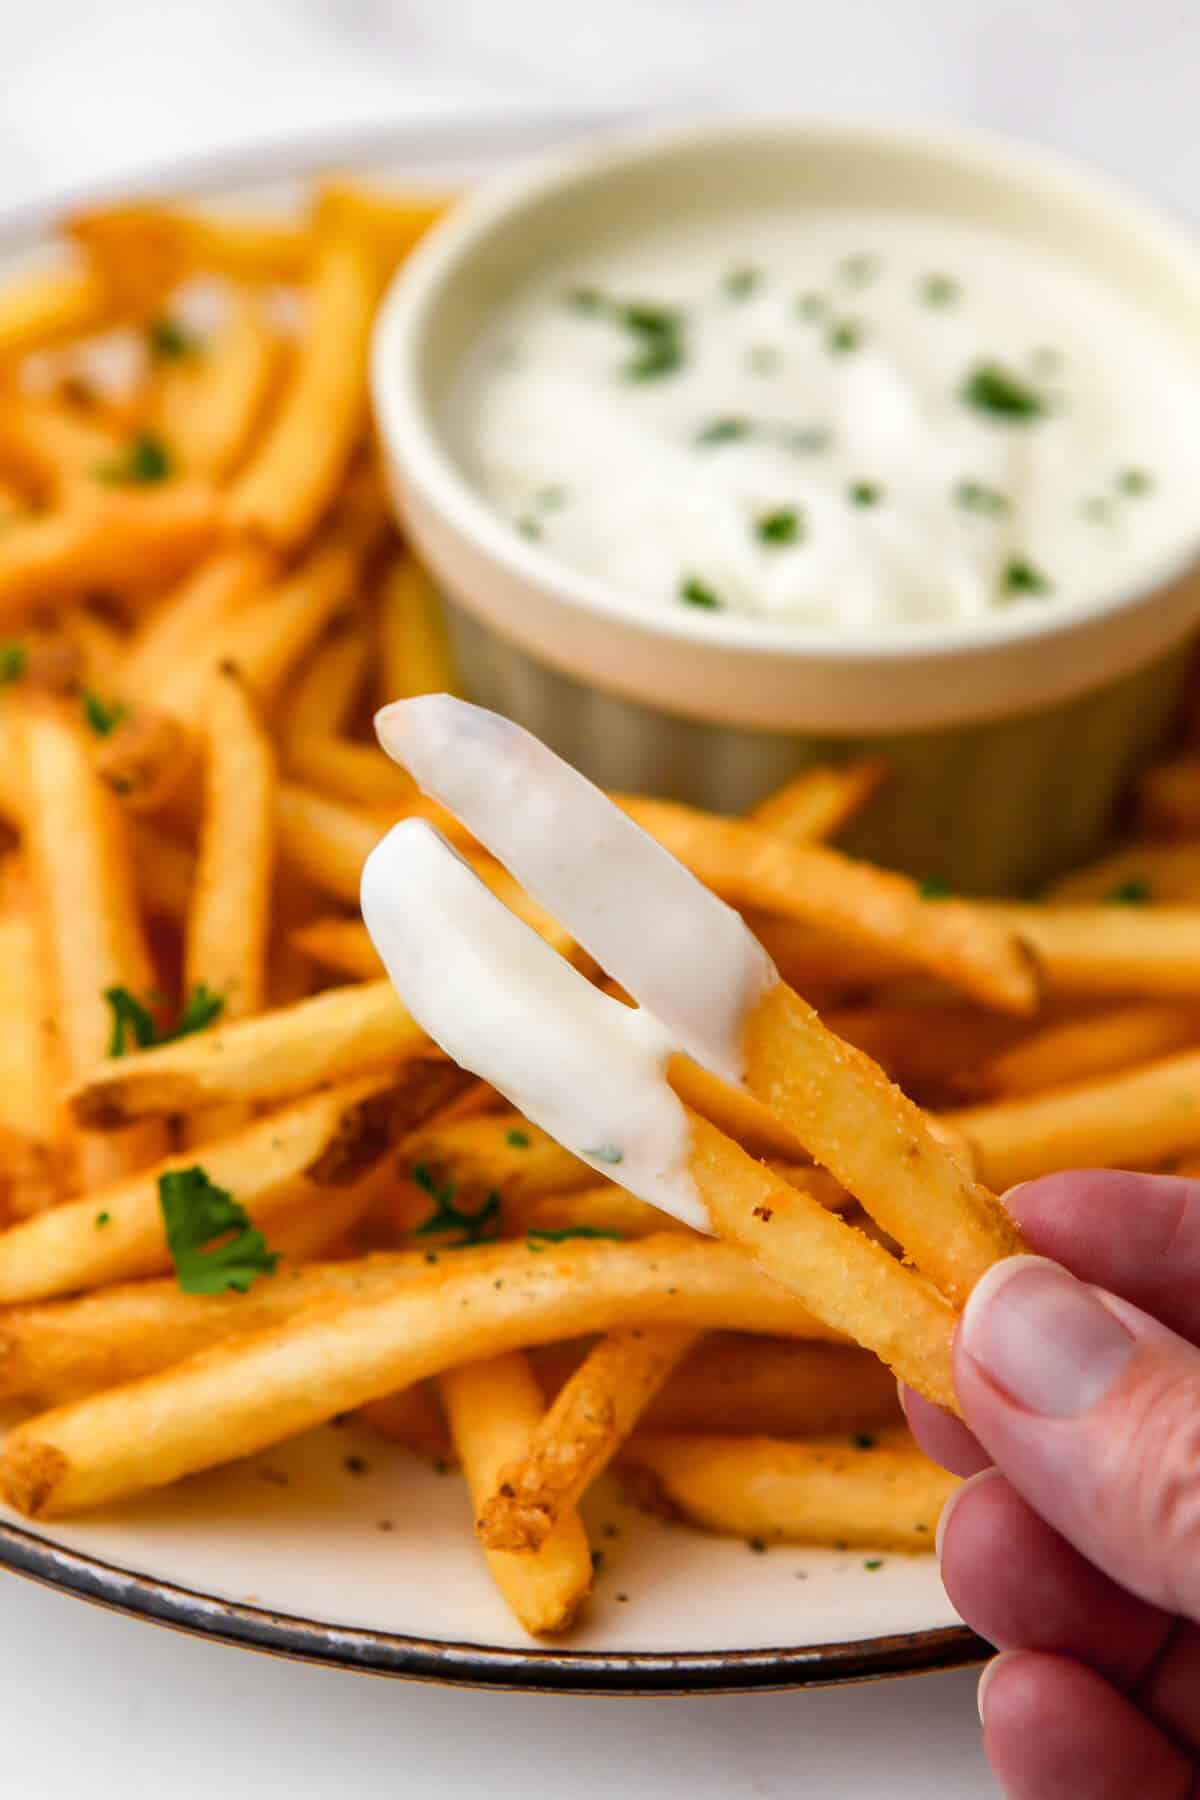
85	912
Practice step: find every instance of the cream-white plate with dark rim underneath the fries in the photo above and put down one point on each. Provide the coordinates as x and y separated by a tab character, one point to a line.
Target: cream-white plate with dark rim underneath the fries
379	1570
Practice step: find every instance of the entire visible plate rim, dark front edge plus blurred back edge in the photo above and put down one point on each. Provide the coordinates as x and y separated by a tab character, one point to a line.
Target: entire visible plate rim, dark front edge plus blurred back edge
287	1635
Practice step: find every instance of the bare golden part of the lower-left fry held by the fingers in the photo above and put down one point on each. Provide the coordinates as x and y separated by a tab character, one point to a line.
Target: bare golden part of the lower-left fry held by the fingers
845	1277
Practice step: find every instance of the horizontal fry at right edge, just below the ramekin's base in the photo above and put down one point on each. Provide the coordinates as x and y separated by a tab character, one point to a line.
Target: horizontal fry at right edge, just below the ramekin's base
1111	949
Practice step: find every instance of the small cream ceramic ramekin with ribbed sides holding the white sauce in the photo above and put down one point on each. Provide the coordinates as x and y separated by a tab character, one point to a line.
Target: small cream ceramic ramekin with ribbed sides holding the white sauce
1010	737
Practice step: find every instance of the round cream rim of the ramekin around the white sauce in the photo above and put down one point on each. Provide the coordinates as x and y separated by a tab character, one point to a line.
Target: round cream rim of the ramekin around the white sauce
415	442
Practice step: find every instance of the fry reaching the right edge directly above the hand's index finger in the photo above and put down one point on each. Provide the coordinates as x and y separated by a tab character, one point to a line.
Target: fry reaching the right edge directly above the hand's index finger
1131	1120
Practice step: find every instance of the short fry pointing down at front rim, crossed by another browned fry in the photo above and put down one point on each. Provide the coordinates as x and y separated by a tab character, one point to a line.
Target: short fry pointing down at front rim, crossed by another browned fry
494	1412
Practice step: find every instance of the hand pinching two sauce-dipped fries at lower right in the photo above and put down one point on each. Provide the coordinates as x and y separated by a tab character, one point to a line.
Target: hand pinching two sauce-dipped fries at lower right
1077	1545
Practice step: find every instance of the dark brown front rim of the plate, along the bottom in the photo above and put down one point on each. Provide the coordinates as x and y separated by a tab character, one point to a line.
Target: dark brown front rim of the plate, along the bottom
465	1664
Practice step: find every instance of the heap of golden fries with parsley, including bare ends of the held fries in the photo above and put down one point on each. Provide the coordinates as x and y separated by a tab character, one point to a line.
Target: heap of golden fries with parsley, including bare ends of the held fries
242	1192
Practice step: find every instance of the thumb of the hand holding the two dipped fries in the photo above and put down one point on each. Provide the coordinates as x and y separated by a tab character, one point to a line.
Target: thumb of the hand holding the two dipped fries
1093	1412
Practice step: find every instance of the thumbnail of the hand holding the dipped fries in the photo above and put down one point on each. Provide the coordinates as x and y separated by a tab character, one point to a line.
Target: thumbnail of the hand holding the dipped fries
1044	1338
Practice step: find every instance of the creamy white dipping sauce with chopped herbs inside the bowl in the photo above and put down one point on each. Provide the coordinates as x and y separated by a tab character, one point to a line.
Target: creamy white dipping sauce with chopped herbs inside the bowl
845	420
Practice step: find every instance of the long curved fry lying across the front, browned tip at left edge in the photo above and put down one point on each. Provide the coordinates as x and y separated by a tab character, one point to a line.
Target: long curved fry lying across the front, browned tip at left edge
476	1304
